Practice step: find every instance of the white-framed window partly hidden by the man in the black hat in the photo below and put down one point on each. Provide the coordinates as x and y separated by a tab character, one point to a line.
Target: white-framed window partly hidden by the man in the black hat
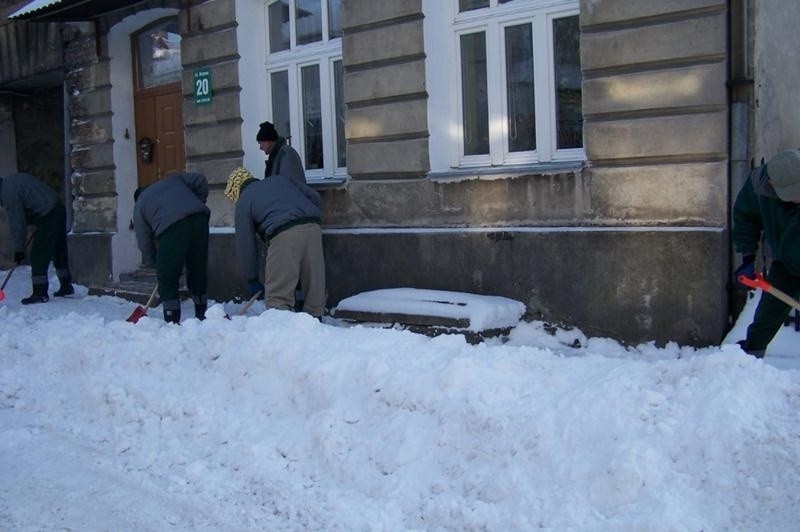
305	81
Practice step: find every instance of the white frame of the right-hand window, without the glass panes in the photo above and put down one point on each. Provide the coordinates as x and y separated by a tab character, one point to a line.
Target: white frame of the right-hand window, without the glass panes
445	92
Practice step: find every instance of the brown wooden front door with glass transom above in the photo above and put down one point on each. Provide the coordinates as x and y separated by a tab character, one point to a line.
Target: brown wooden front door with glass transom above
158	101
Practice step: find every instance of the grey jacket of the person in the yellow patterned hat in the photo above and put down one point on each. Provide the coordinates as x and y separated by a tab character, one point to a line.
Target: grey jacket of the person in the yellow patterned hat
265	208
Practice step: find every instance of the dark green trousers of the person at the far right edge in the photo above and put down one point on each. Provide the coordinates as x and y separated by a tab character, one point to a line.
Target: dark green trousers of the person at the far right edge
771	312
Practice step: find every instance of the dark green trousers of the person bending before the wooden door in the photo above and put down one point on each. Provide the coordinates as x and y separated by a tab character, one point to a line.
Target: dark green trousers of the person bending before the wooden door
184	243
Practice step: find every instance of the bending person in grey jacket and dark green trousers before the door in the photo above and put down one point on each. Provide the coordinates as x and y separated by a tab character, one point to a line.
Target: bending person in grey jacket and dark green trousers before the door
170	218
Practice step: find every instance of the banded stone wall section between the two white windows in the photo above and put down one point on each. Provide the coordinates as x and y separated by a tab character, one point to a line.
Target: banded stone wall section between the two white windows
384	60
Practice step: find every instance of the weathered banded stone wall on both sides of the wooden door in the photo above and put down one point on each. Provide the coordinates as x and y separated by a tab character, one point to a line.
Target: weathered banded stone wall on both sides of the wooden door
212	136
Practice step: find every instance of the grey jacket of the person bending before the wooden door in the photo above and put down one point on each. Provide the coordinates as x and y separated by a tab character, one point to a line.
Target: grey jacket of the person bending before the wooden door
163	203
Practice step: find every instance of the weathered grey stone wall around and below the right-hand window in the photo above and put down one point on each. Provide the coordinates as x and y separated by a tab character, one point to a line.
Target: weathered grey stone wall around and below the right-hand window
625	246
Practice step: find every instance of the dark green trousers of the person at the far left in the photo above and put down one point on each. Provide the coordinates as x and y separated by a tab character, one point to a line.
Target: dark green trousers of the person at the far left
50	244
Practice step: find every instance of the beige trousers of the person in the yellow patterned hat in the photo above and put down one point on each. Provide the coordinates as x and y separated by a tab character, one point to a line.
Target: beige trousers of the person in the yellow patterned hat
296	254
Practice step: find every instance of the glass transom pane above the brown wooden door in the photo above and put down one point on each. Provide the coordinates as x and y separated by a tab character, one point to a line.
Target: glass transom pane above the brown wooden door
158	50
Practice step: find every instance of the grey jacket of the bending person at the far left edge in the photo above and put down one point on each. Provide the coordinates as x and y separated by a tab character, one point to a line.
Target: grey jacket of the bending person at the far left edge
26	199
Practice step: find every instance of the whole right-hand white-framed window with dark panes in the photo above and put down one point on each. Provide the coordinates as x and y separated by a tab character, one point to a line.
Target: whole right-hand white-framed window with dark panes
517	80
